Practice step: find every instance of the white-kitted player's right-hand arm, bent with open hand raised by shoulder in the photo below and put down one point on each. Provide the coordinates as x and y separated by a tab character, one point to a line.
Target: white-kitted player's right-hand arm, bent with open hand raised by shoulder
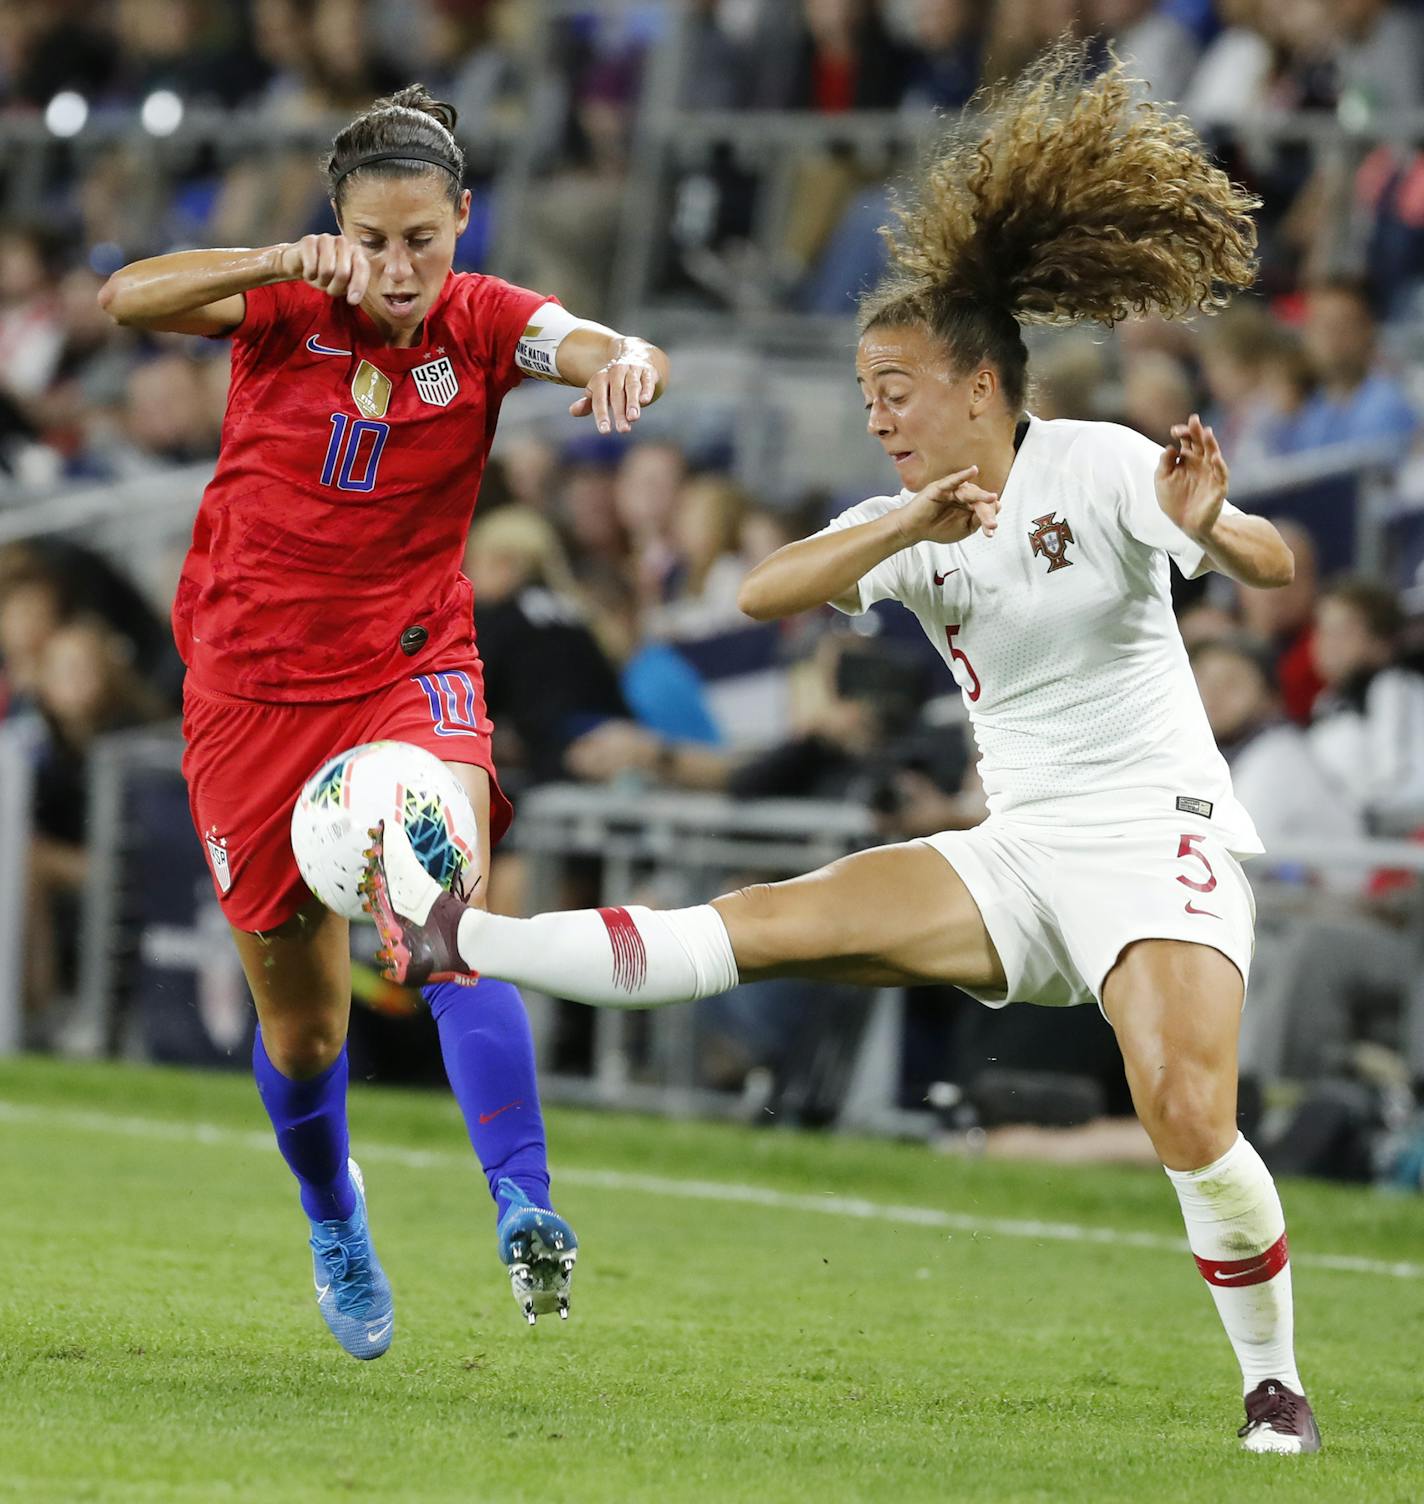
1192	484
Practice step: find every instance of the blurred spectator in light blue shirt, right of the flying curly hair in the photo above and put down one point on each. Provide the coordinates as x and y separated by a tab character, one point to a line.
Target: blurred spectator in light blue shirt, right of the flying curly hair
1357	399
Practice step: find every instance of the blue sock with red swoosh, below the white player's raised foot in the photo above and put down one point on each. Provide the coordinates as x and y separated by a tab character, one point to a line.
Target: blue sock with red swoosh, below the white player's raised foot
489	1060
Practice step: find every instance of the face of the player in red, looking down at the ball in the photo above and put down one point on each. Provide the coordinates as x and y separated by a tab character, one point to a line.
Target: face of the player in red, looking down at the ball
408	229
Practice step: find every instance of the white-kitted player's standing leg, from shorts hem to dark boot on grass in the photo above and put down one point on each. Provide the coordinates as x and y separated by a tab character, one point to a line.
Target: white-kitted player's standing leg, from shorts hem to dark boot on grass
1177	1011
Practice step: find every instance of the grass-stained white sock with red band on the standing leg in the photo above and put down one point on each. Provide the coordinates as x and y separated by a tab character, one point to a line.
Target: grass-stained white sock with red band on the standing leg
1237	1230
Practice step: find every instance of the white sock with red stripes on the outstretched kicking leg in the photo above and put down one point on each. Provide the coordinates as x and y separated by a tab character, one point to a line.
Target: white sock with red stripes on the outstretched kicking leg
611	957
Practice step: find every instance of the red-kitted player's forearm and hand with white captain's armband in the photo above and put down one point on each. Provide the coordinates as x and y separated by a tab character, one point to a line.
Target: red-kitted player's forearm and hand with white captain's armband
620	374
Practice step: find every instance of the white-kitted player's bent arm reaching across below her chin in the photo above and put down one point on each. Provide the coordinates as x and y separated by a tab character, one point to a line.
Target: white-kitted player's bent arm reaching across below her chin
828	566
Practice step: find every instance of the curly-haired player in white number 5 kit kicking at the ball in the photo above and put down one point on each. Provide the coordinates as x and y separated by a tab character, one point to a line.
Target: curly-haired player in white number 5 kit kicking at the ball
1037	560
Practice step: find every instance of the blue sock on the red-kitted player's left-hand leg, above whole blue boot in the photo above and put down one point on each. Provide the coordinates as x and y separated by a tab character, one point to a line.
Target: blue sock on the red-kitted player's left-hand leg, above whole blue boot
311	1123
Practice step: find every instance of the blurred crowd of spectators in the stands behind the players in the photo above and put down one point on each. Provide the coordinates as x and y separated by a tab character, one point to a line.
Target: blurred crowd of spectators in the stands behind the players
607	574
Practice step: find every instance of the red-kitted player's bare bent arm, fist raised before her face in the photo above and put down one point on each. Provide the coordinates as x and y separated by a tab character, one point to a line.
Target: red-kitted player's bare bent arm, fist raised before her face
204	293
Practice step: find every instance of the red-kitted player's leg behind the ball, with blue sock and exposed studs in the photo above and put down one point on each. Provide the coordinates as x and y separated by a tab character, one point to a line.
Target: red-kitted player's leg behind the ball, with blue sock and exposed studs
489	1061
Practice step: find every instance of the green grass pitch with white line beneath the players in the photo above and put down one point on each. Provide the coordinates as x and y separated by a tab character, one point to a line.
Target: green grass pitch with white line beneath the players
745	1327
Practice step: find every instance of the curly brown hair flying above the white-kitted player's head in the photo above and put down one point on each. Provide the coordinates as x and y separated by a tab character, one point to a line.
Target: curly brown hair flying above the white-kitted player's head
1062	199
